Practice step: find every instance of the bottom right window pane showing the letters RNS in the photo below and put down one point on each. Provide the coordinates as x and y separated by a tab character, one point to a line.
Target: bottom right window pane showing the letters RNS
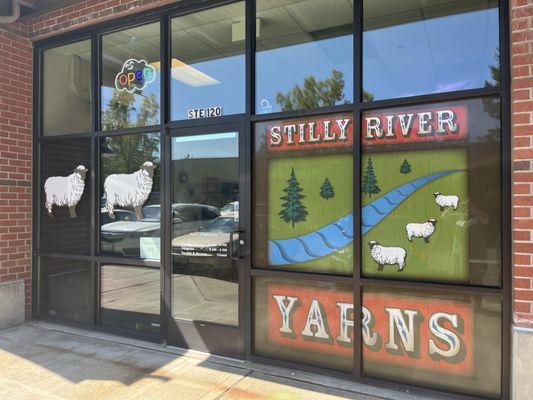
442	341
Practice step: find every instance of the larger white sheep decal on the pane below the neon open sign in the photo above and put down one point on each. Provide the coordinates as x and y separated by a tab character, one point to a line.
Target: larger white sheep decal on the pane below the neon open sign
129	190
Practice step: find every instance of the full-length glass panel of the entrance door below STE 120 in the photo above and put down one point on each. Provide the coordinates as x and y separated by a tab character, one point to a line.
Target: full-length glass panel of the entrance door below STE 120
205	203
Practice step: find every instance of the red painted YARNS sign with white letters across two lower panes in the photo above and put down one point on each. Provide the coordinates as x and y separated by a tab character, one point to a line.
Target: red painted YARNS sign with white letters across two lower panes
418	332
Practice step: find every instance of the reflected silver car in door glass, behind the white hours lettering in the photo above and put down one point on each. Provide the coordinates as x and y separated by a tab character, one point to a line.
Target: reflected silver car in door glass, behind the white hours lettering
212	240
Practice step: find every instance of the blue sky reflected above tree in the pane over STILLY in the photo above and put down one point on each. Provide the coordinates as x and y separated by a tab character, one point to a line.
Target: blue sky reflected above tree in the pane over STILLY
279	70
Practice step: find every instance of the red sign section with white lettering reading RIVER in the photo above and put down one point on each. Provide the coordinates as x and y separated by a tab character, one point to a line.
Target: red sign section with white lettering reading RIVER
410	126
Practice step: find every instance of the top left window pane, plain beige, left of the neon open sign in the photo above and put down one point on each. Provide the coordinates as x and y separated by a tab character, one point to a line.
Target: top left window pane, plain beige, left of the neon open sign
67	89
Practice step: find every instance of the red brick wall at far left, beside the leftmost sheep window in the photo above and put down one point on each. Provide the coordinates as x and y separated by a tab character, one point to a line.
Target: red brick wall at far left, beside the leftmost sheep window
15	156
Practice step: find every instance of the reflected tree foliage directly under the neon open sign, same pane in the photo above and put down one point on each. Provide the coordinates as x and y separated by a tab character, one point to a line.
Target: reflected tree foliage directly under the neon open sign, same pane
121	109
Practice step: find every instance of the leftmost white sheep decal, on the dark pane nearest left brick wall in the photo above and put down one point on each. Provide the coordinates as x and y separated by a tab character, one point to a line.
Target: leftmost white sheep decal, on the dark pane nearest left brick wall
65	190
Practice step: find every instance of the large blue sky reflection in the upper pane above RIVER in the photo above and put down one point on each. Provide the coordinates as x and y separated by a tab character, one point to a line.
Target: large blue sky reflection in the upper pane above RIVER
431	56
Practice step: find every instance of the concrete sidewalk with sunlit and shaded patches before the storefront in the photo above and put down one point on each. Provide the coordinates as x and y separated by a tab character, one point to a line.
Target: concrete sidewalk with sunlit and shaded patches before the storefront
45	361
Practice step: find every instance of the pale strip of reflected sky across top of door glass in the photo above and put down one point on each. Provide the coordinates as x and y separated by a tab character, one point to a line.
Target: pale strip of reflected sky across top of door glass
217	145
